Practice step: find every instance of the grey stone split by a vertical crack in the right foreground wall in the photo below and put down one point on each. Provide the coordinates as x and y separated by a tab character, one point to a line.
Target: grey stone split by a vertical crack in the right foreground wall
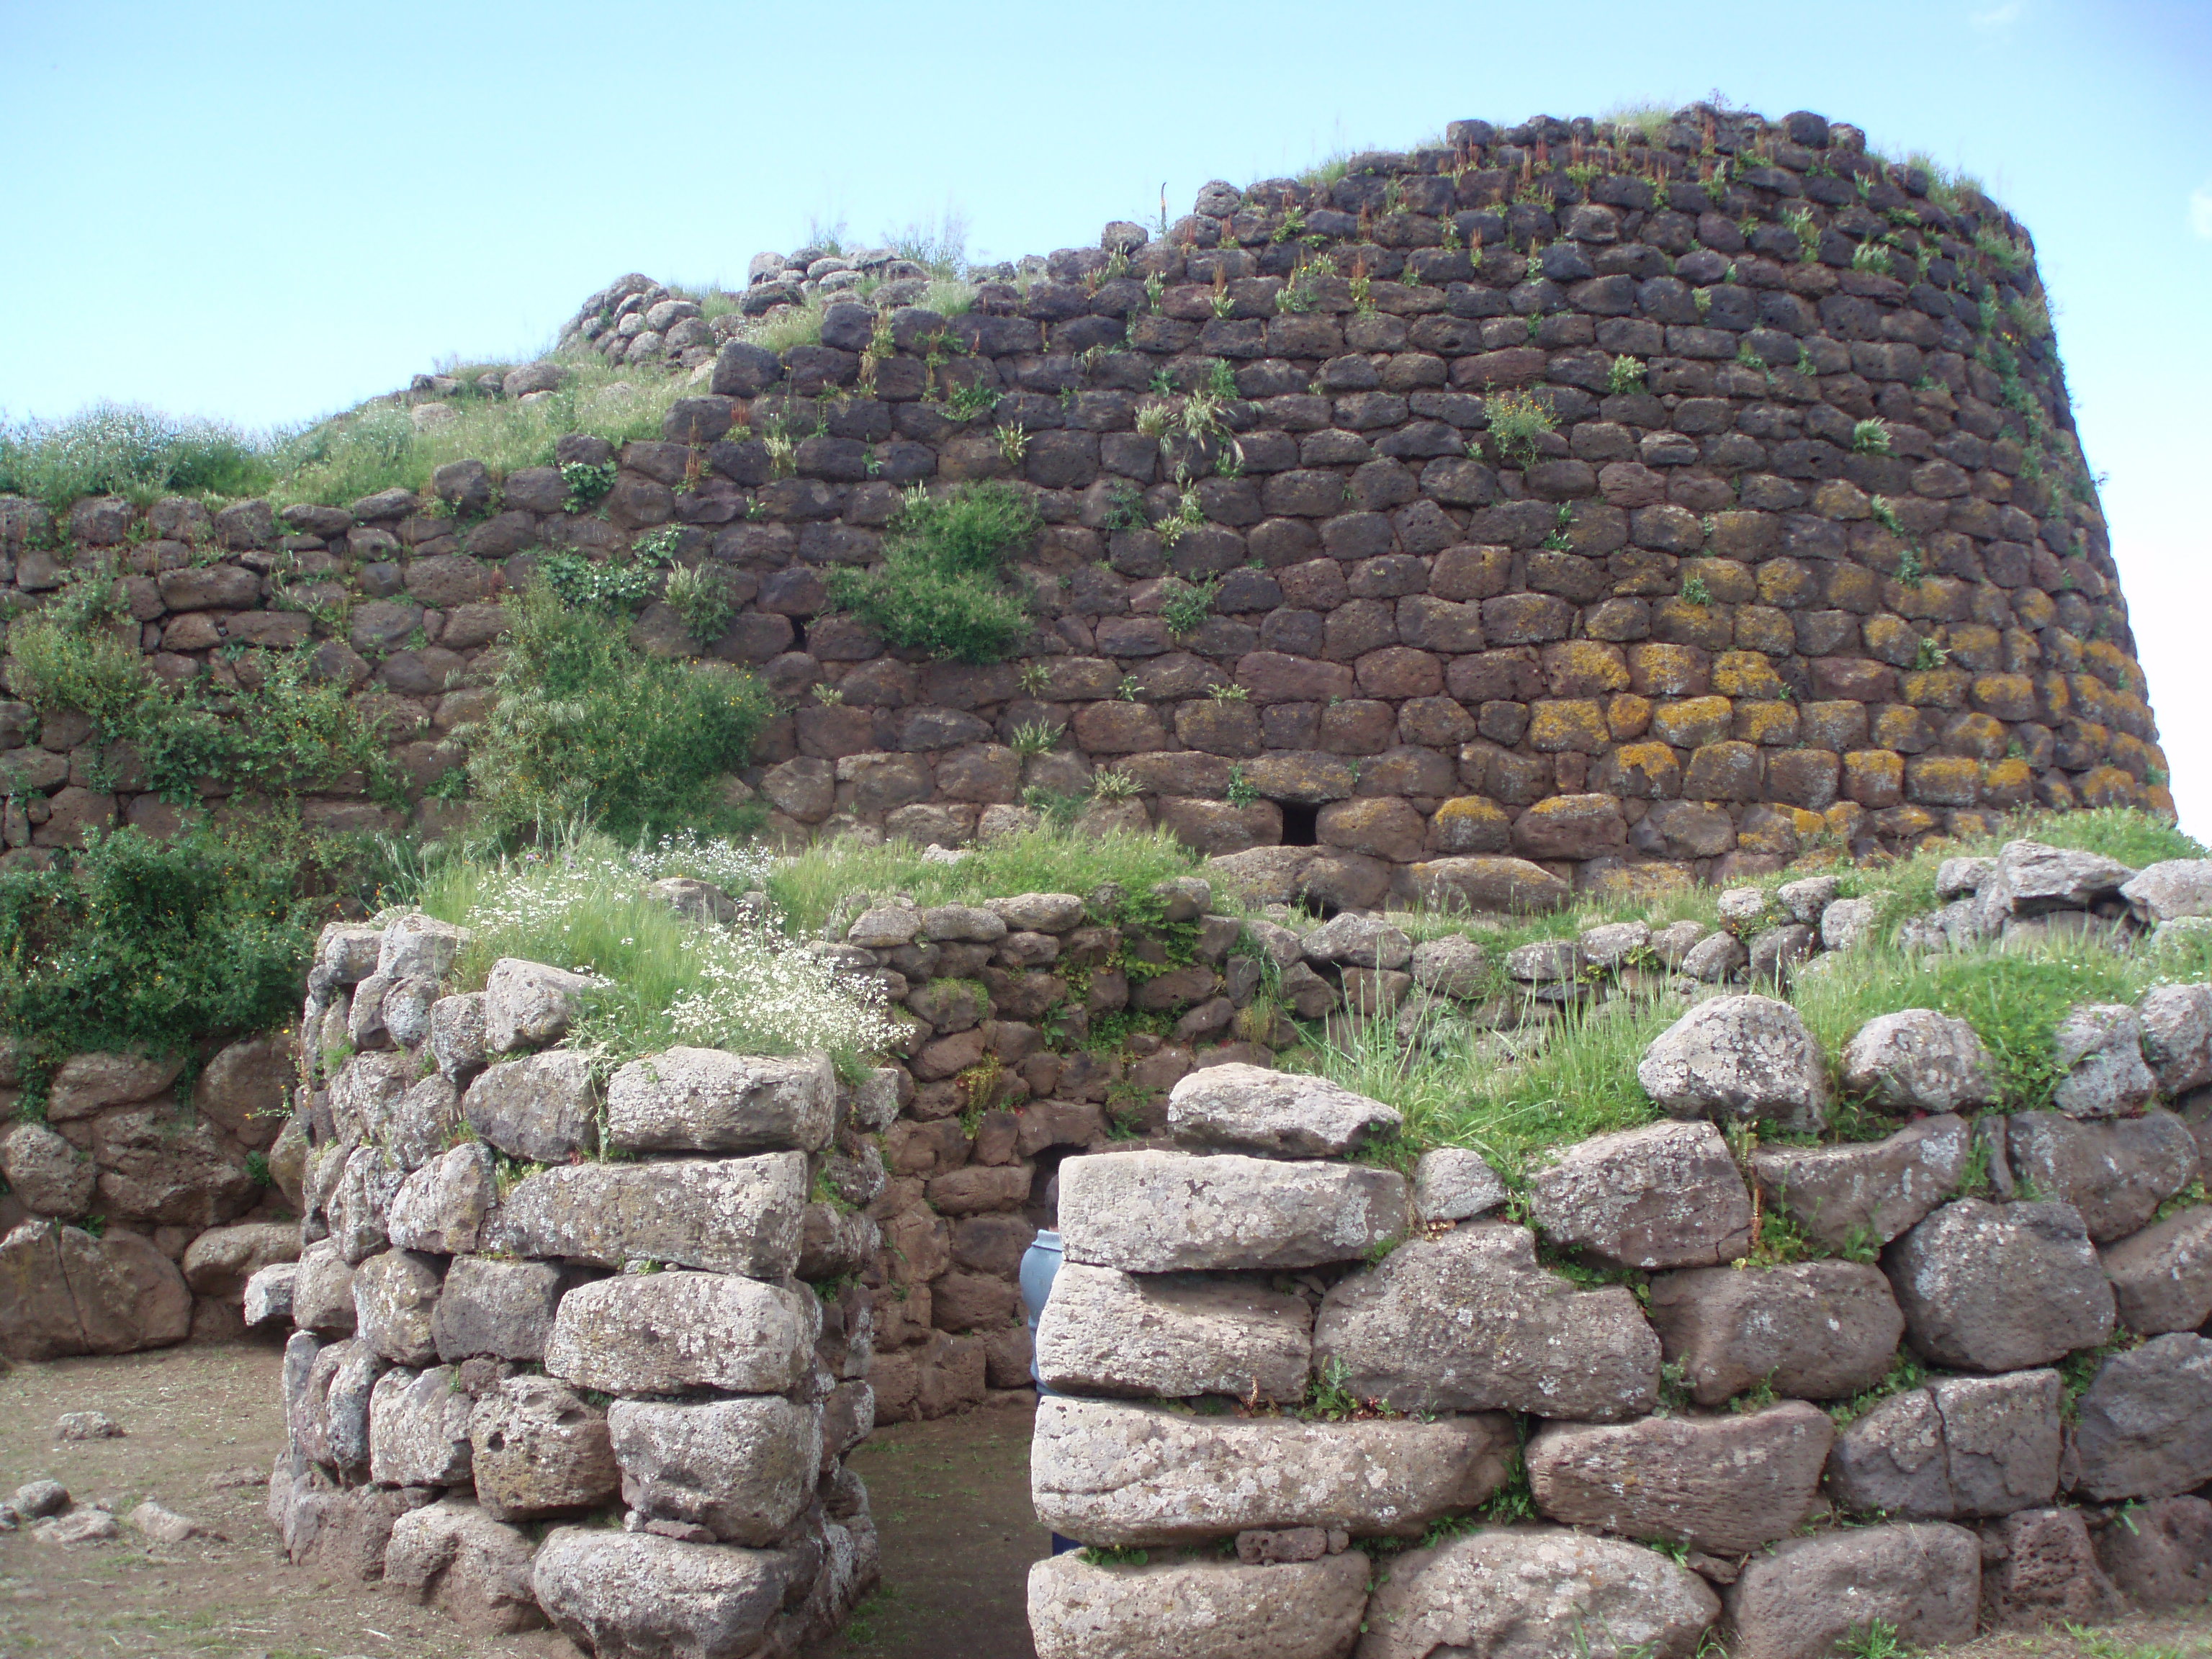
1963	1446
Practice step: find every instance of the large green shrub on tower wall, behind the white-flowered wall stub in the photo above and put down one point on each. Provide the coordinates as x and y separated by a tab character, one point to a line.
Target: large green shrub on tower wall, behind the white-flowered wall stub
592	731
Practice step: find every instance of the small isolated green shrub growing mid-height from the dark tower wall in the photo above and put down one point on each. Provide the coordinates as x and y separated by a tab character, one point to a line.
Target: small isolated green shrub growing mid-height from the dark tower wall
943	578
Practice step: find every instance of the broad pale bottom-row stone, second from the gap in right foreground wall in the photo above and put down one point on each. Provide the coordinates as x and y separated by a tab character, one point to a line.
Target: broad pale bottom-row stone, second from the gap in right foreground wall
1538	1594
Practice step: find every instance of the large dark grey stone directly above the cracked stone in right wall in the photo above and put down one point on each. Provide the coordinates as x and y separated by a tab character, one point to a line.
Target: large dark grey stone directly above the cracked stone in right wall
2001	1288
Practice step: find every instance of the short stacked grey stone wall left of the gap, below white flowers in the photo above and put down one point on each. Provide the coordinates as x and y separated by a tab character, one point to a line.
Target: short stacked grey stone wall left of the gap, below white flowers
572	1357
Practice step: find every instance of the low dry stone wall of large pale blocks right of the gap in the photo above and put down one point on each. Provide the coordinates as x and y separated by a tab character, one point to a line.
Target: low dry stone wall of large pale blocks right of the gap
1300	1404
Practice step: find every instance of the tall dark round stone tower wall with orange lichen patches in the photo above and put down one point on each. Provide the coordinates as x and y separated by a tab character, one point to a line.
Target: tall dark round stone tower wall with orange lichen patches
1565	492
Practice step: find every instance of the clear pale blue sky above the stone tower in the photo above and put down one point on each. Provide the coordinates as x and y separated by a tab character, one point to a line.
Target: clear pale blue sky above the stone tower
271	211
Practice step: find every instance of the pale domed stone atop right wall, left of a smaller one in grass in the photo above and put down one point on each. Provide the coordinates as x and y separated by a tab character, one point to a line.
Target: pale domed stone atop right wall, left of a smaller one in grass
1740	1058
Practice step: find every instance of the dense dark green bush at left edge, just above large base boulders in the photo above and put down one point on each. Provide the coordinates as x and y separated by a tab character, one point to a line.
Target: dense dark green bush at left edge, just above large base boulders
147	943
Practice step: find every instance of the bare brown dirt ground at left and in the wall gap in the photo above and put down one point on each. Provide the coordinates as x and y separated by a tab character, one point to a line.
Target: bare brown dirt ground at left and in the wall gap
202	1428
